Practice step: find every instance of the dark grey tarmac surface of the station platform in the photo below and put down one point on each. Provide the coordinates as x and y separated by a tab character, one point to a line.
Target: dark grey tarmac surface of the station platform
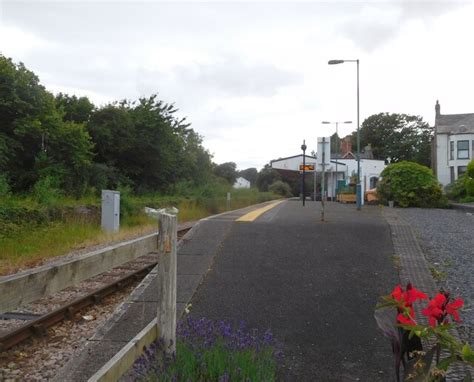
313	284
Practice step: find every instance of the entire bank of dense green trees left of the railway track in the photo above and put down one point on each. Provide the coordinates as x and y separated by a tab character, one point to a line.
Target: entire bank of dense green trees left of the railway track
66	142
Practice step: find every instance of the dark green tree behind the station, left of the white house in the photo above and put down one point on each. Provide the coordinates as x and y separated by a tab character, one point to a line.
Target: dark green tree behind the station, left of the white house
397	136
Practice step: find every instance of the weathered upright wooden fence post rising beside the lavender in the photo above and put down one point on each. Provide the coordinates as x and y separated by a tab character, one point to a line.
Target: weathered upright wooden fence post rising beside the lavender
167	266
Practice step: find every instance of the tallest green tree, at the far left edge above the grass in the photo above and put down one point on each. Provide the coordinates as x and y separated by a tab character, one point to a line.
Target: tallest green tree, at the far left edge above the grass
33	136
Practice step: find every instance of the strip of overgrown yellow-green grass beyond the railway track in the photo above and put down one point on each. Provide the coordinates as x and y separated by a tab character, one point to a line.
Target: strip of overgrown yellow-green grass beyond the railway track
31	232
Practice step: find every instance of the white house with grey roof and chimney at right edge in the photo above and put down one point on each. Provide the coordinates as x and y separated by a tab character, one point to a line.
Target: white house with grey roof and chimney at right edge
452	146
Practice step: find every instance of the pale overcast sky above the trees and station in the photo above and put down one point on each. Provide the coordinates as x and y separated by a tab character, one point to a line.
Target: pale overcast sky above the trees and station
252	77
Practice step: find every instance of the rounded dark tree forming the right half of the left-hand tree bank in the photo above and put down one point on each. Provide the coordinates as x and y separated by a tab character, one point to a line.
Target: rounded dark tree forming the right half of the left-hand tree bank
144	145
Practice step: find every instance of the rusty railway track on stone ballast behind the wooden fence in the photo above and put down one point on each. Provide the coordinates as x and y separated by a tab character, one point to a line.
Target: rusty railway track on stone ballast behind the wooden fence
66	312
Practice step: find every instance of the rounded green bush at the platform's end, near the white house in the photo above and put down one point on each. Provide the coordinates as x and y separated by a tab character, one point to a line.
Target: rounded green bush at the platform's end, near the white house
410	184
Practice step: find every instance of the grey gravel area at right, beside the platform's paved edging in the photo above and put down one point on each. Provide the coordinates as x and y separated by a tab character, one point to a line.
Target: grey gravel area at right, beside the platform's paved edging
447	239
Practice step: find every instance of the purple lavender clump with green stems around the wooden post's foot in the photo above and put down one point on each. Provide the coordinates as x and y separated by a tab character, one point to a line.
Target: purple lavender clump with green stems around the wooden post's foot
212	351
